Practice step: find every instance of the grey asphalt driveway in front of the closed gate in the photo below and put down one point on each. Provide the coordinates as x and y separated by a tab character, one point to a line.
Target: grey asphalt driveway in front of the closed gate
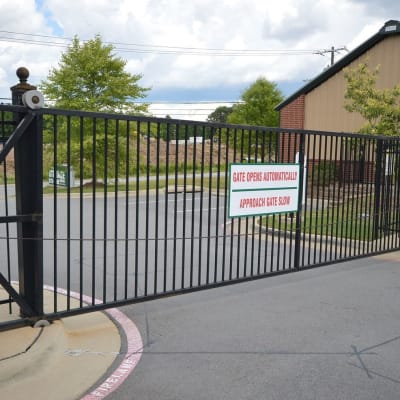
329	333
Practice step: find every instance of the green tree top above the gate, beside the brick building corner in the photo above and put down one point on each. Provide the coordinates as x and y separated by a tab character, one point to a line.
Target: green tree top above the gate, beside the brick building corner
258	107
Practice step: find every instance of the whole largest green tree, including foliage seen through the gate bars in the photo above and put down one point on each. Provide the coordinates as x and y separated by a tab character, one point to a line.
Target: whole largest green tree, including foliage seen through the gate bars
91	78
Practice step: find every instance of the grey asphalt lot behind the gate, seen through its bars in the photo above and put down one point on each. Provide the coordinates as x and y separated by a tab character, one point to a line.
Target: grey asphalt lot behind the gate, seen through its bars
134	246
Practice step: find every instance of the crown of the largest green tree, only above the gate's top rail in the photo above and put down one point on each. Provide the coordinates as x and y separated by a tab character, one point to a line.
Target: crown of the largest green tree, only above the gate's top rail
91	78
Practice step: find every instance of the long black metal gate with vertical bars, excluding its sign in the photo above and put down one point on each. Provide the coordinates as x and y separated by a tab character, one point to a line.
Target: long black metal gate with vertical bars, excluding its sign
135	208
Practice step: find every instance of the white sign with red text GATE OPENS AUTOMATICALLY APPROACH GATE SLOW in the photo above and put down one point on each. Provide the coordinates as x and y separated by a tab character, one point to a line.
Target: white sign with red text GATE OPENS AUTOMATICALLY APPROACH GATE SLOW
261	189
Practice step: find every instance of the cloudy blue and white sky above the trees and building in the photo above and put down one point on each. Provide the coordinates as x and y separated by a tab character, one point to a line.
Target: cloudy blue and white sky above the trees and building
194	55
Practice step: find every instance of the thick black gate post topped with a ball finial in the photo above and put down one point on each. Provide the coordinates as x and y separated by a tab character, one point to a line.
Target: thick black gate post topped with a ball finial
29	202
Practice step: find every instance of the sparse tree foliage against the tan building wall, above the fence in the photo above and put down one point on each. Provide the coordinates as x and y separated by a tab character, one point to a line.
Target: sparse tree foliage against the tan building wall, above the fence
379	107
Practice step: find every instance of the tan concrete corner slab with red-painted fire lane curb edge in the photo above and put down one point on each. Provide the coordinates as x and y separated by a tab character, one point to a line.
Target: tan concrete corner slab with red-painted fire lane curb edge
68	358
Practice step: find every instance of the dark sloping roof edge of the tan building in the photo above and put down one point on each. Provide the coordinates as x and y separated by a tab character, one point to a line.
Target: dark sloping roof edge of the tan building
391	27
